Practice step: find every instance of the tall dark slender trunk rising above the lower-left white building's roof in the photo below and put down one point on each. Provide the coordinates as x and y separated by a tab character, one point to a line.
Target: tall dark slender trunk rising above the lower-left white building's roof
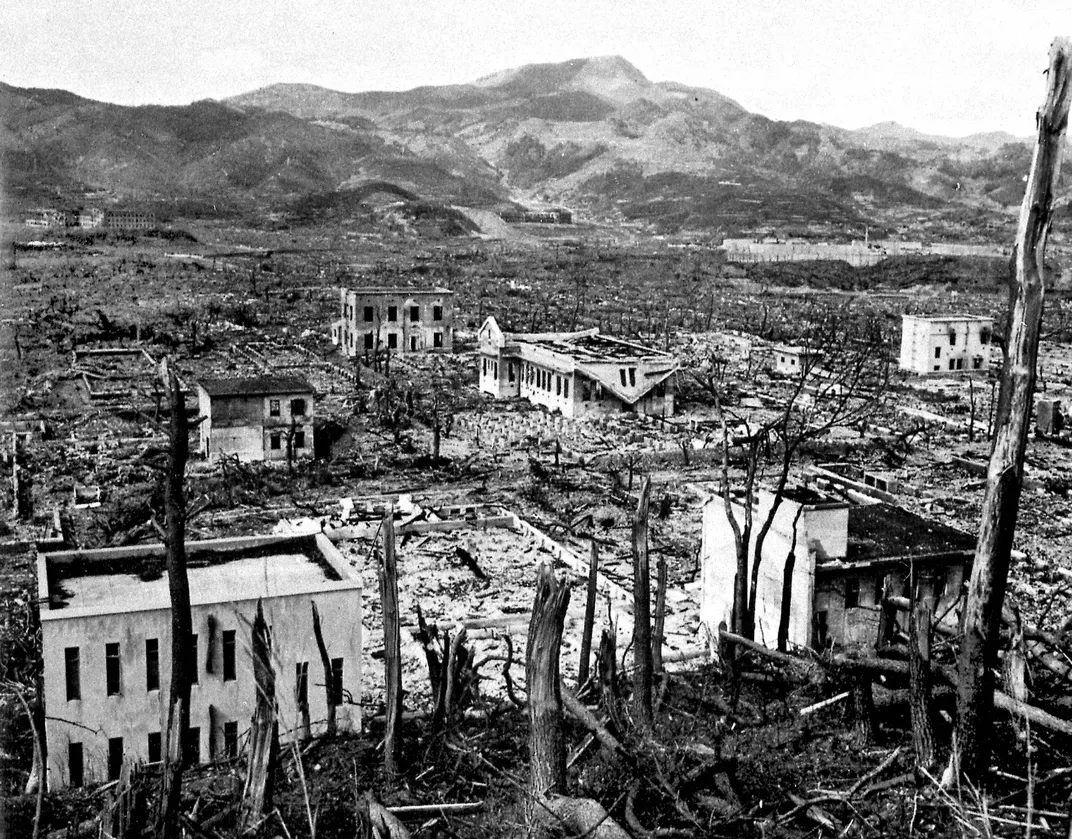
178	585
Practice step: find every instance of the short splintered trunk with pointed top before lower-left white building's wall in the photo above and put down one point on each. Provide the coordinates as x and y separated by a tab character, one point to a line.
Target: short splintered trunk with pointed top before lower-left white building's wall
264	730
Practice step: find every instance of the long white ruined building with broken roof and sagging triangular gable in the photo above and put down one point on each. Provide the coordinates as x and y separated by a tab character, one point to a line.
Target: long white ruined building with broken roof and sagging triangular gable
576	373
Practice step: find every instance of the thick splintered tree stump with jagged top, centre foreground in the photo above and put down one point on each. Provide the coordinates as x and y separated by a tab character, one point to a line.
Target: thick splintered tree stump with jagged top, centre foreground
546	745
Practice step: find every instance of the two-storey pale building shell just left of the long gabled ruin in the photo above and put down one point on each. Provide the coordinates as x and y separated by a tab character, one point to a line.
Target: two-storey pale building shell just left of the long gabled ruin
396	320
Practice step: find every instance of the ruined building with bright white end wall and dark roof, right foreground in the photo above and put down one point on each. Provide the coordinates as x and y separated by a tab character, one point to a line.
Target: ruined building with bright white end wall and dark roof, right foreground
843	556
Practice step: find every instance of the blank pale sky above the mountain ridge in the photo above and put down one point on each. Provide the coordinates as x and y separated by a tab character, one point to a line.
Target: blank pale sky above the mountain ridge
945	67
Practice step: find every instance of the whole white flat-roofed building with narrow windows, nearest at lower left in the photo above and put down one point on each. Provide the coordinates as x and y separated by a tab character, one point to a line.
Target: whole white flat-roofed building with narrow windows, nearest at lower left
106	635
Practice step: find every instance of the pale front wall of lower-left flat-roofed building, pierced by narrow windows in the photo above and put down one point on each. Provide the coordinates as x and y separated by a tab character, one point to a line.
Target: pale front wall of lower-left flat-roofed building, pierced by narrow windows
137	712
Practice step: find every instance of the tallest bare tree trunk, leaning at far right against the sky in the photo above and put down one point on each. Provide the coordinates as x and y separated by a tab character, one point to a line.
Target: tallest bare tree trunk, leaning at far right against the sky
990	573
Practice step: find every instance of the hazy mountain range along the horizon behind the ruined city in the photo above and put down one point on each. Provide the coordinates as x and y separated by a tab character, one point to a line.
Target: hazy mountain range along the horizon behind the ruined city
592	134
